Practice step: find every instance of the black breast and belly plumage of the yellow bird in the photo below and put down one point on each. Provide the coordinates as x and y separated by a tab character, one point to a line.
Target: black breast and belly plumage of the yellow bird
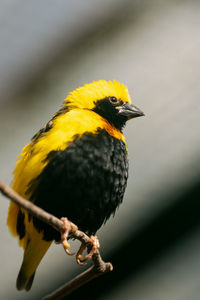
87	182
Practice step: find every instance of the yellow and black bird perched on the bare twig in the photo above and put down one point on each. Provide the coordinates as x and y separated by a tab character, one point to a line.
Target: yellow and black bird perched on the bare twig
76	166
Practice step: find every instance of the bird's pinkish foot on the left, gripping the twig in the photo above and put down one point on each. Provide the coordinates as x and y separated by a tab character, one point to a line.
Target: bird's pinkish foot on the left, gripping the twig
67	228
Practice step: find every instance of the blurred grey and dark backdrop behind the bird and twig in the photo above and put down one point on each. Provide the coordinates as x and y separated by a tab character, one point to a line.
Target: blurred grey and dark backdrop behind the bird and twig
49	48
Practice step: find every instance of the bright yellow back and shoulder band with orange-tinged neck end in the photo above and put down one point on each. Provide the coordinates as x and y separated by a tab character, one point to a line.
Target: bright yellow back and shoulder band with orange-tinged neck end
65	127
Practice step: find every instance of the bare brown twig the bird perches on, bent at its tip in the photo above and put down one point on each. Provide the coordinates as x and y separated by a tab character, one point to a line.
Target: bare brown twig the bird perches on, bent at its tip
99	267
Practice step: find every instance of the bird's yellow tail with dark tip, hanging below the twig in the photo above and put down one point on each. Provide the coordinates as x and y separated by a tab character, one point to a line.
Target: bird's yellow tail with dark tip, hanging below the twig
33	254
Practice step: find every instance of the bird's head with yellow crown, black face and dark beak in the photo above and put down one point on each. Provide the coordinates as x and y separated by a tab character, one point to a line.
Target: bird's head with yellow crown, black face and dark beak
109	99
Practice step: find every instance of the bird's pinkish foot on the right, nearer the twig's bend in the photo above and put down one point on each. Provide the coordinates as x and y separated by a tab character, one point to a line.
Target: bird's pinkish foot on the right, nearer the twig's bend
93	245
